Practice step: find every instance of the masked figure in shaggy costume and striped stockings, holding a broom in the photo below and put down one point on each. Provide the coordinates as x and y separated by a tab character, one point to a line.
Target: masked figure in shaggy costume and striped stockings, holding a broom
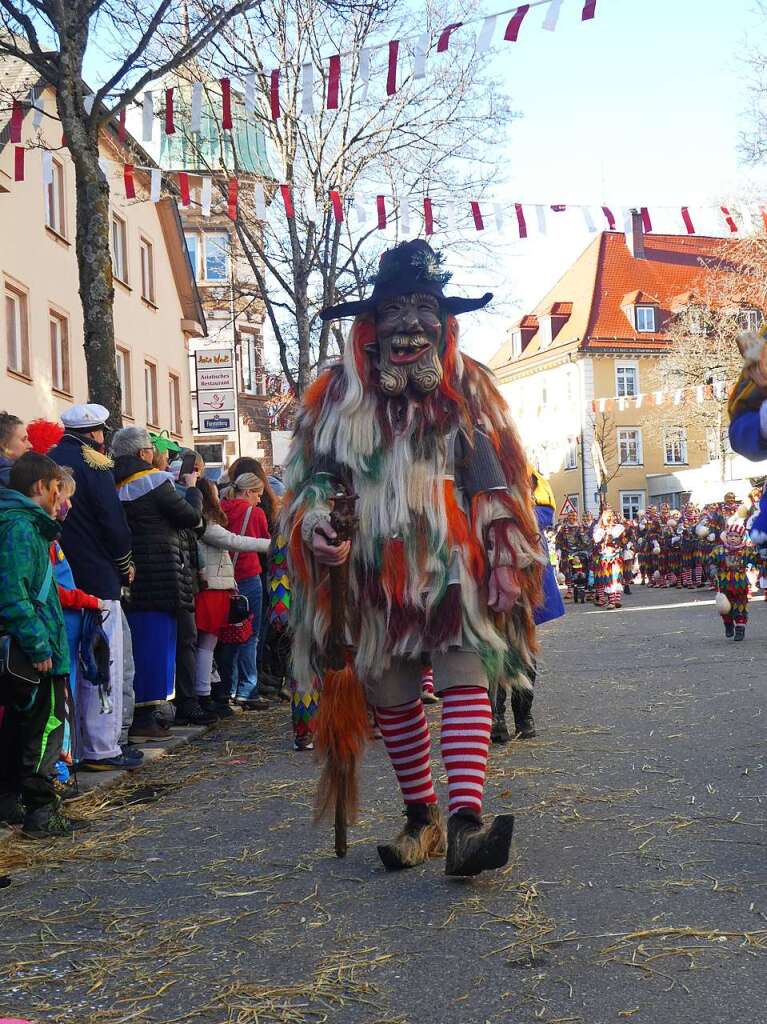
442	554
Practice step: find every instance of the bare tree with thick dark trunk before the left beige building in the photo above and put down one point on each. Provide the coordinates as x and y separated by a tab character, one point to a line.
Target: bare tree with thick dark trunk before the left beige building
56	38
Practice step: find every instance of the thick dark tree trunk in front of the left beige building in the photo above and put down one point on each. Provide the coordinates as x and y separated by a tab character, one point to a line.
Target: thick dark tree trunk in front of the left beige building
93	245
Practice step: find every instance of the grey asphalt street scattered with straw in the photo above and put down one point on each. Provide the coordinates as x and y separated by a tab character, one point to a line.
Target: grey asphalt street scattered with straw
637	891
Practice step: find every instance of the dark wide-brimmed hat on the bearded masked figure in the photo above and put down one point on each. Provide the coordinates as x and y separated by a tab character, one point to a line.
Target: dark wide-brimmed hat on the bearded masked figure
409	268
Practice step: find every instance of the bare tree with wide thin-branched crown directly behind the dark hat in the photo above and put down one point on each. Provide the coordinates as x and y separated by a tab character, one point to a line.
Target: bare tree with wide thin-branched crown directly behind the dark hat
432	140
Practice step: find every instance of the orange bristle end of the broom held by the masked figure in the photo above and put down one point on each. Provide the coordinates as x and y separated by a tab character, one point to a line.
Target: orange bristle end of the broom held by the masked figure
340	733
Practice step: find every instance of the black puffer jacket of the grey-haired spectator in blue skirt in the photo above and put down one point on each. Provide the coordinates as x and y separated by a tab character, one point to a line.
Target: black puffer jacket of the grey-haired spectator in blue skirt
157	517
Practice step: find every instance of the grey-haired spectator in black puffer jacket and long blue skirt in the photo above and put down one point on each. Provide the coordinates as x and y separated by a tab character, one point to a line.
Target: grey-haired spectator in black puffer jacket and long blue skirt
157	515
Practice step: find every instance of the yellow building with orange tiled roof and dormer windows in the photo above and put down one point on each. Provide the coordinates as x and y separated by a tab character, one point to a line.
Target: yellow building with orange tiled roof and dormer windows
581	373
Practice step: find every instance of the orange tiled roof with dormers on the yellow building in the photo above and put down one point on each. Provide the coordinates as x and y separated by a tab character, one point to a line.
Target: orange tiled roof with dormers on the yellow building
608	277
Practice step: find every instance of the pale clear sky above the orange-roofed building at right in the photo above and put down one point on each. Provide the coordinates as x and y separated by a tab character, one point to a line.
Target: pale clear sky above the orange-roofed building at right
643	106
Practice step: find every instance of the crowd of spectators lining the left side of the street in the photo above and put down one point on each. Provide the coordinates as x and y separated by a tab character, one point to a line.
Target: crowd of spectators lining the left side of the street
133	602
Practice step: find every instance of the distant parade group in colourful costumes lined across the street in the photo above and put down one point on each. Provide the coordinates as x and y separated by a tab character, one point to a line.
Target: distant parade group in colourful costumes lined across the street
601	560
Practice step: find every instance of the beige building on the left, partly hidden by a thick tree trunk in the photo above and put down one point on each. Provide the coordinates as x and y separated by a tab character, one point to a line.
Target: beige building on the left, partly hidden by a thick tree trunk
157	306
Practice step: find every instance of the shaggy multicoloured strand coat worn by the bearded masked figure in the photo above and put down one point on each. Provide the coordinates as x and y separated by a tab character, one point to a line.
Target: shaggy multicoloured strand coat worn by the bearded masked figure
419	567
